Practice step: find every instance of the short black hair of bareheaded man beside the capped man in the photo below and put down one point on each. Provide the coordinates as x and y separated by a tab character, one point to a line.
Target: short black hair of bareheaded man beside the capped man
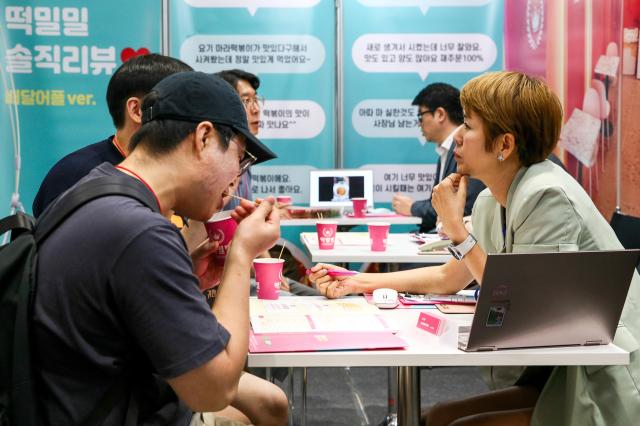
136	77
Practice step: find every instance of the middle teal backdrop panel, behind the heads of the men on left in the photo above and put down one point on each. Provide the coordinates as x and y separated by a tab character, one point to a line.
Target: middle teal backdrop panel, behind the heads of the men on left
291	47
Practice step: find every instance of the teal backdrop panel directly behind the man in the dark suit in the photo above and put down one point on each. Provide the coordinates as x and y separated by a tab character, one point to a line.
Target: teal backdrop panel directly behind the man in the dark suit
393	49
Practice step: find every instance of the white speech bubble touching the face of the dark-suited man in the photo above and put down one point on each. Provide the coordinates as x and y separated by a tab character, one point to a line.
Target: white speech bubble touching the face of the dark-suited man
386	118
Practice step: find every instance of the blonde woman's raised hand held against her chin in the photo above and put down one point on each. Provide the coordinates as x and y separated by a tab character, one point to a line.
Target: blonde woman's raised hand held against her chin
448	198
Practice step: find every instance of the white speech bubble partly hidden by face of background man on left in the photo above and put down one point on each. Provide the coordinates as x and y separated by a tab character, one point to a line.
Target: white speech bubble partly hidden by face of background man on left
291	120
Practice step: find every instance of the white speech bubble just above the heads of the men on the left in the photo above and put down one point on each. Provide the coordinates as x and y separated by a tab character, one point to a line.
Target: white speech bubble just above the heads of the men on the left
272	54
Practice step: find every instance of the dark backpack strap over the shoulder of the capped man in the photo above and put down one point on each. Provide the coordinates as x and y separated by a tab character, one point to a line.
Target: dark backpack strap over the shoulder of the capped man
90	190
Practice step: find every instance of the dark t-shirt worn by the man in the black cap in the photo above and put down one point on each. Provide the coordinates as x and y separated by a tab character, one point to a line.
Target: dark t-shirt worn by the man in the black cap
117	298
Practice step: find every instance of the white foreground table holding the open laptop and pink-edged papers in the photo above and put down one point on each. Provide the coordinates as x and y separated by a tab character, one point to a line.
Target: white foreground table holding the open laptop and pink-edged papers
425	349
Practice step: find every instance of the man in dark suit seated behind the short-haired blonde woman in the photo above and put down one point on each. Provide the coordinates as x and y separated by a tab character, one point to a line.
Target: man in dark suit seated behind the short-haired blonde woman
439	115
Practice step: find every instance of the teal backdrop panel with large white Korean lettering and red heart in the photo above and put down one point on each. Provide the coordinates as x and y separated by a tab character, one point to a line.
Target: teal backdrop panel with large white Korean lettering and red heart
56	58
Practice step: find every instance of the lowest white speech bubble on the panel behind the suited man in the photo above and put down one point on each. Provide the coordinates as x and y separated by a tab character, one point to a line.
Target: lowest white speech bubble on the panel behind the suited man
414	180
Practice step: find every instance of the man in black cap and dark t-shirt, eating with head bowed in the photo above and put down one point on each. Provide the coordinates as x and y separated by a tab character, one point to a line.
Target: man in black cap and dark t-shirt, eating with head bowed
117	298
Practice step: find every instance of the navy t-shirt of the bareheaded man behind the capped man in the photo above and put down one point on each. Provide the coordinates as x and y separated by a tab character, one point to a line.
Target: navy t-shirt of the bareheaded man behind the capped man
70	169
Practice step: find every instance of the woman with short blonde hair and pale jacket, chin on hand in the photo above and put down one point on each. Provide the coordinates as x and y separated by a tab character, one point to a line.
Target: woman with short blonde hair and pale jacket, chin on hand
511	124
